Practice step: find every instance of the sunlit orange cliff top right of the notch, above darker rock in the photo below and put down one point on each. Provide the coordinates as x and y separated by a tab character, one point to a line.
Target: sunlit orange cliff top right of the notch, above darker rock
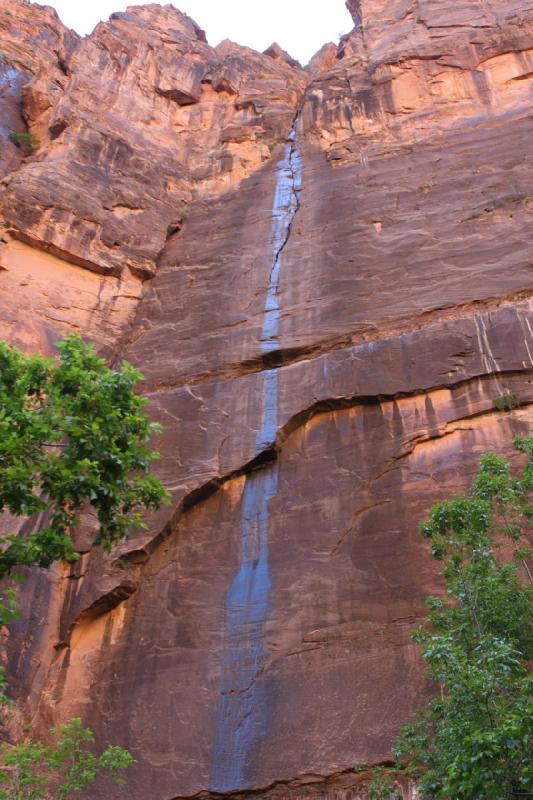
410	70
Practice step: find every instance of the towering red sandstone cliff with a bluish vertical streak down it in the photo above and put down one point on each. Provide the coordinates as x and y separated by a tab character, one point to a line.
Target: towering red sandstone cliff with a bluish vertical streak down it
325	278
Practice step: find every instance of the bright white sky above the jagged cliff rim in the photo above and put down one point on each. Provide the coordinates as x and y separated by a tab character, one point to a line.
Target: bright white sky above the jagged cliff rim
300	26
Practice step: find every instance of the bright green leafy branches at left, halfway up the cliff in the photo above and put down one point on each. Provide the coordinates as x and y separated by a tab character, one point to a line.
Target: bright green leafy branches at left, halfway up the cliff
73	434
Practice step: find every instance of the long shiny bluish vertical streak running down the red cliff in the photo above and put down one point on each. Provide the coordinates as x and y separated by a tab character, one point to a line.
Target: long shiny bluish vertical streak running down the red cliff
242	711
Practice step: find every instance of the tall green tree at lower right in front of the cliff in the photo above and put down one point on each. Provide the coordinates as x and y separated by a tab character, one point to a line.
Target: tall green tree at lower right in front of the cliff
474	741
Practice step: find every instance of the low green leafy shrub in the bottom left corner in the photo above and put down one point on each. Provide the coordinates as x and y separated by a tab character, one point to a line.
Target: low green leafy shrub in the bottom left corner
34	771
